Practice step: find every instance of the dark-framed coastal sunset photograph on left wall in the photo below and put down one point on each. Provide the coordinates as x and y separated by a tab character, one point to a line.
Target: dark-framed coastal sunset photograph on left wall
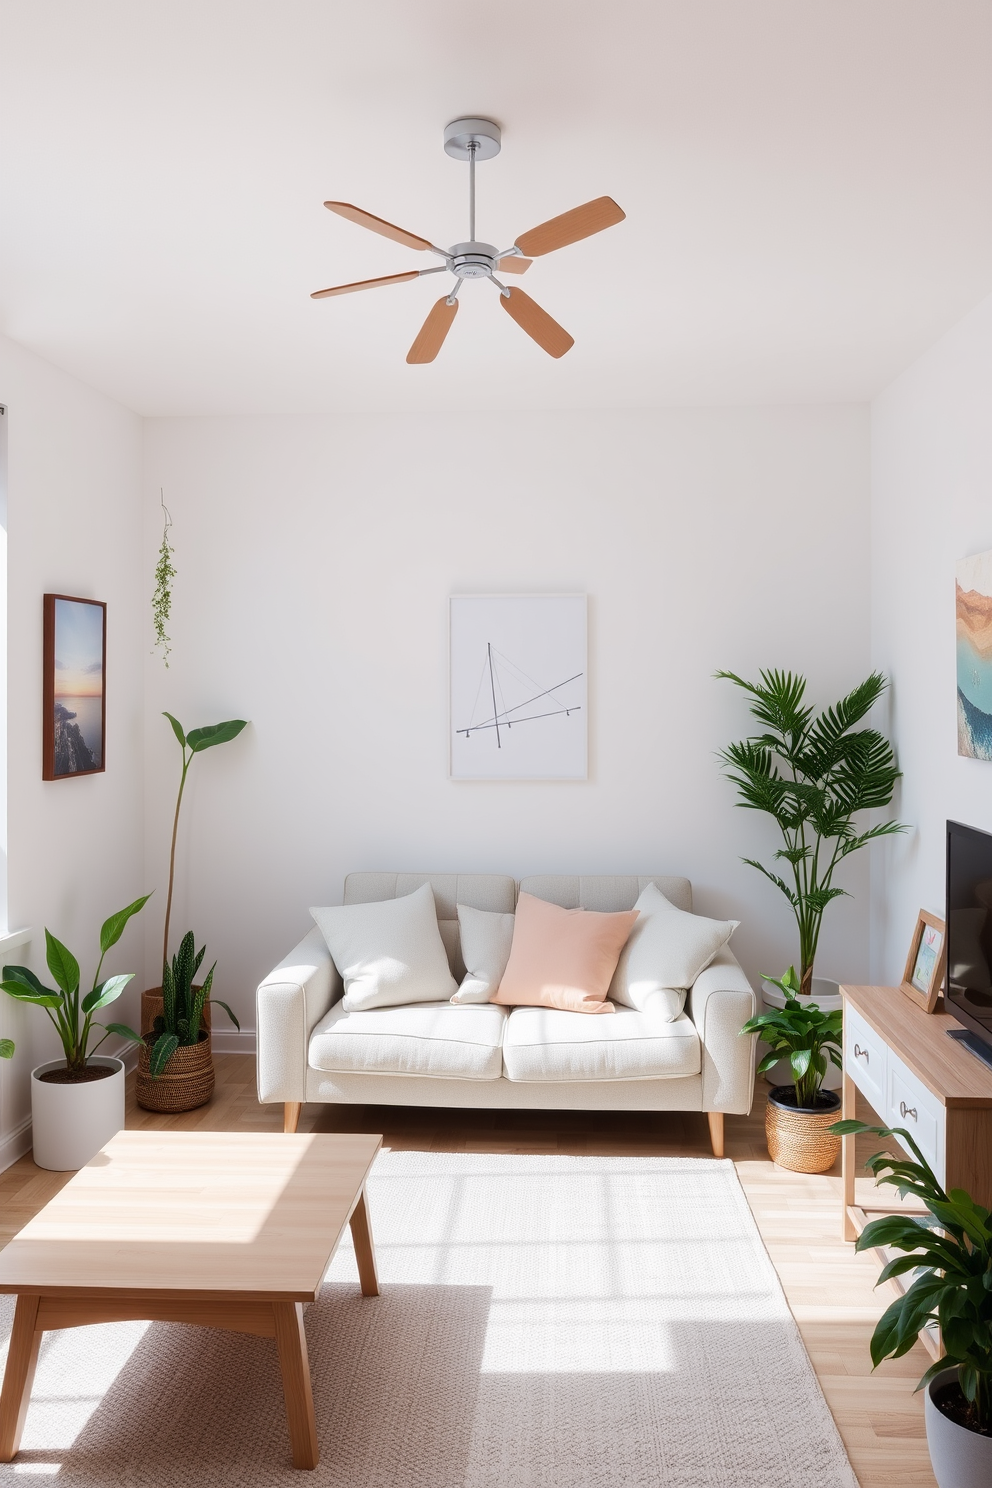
75	719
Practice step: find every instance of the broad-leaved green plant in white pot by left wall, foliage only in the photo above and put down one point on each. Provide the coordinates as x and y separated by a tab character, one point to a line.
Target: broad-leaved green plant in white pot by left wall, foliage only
71	1013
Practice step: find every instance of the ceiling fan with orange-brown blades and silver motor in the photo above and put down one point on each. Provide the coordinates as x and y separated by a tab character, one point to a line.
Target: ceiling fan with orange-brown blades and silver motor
480	141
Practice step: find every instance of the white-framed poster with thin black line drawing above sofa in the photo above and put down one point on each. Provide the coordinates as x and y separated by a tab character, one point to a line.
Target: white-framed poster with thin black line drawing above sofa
518	687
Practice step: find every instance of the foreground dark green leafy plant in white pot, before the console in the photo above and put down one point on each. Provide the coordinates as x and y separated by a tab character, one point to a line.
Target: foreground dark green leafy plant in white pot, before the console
951	1264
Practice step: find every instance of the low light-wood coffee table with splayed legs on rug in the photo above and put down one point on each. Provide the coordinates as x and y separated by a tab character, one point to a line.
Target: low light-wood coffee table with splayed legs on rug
222	1230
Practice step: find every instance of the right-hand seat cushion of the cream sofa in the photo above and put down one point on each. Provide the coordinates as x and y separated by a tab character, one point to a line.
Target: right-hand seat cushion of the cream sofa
547	1044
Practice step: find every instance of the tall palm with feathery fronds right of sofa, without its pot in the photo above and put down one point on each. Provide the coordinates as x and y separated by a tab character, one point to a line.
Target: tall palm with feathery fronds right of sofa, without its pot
813	773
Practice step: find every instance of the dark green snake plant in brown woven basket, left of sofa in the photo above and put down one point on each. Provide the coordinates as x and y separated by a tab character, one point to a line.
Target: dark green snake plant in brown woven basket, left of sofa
175	1059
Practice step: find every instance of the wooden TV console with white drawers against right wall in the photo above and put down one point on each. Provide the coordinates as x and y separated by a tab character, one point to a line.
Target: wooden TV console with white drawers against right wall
915	1077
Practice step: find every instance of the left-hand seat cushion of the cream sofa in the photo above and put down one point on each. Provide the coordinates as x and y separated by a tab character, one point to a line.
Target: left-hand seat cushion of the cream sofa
454	1044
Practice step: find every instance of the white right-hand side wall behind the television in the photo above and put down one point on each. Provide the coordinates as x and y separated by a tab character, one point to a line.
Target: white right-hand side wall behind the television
932	504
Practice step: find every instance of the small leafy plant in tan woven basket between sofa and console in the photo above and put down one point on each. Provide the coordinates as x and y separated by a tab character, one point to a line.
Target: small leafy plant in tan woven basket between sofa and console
798	1117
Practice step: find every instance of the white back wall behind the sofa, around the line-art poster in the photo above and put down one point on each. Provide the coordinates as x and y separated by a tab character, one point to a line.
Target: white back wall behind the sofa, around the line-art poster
316	557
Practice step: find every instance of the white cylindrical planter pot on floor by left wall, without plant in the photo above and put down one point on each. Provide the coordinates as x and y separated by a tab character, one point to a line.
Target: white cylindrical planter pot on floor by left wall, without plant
72	1123
